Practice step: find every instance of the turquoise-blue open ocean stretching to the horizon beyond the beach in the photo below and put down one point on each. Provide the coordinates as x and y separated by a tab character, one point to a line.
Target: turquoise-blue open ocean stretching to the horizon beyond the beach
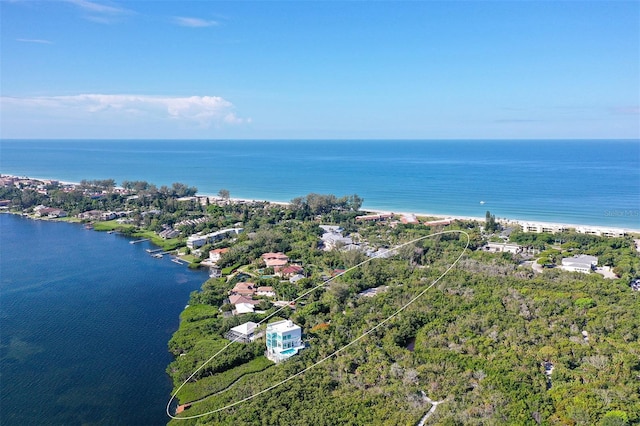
581	182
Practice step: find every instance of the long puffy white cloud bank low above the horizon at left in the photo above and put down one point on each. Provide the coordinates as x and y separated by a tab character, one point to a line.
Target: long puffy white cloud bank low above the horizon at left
202	111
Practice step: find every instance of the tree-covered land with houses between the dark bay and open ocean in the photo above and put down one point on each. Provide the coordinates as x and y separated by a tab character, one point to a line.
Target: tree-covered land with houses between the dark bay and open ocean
527	328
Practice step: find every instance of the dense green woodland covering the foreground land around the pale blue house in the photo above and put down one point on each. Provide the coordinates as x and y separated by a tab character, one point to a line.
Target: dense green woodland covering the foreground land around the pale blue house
494	341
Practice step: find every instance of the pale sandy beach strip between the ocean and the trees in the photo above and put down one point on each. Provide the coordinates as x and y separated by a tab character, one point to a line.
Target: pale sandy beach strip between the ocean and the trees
439	216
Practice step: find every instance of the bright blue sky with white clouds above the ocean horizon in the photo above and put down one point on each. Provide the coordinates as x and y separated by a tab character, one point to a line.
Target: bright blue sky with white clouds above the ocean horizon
311	69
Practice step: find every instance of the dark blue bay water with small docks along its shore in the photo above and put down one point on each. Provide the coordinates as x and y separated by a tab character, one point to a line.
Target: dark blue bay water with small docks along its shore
86	318
